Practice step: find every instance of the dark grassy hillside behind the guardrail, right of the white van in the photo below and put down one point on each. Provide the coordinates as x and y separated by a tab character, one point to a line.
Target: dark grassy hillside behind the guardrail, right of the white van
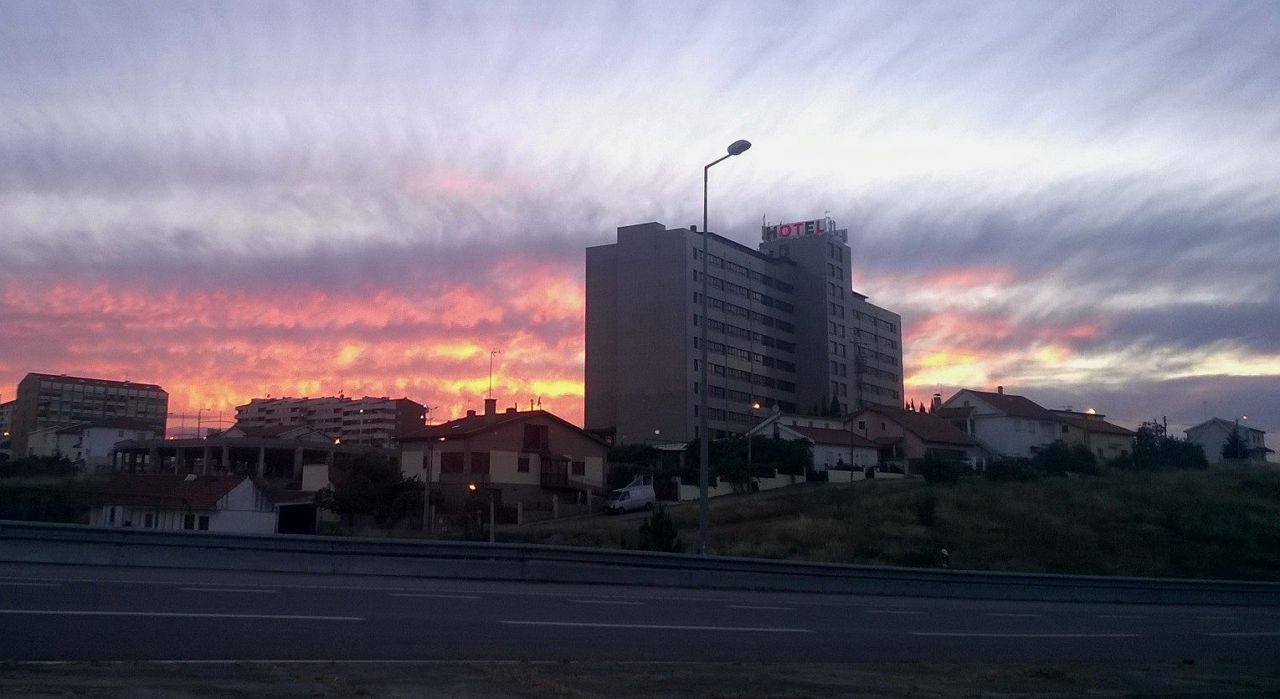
1185	524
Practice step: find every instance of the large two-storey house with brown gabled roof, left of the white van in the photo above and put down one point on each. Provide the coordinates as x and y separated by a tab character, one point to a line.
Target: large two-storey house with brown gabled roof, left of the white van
515	458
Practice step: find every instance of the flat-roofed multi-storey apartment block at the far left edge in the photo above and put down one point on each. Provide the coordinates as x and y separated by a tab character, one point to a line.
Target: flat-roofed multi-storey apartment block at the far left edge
52	401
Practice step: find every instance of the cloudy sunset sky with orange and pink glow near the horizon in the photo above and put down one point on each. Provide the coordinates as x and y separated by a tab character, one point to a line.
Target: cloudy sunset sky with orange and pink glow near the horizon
1078	202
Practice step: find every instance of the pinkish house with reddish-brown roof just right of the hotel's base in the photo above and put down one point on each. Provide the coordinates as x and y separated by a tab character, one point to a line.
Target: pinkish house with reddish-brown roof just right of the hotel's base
904	437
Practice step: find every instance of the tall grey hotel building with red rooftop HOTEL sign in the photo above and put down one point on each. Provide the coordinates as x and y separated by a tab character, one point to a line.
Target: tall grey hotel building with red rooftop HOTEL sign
785	330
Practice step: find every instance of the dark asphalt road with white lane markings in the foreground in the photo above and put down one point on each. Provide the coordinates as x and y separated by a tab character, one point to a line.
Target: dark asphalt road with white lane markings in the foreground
100	614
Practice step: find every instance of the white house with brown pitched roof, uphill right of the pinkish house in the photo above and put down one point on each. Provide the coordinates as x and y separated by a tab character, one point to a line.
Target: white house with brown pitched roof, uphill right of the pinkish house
1004	424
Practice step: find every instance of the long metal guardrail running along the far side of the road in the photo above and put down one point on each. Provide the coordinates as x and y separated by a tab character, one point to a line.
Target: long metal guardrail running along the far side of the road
54	543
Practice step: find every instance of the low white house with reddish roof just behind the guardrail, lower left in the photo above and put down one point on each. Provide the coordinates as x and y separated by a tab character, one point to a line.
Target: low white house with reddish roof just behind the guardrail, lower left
191	502
